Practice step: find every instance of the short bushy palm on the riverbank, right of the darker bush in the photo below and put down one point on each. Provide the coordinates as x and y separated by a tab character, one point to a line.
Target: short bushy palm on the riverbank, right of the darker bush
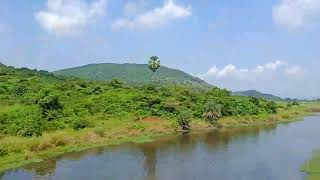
212	112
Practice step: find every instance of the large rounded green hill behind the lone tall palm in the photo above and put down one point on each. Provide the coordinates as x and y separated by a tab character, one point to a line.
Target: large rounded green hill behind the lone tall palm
132	73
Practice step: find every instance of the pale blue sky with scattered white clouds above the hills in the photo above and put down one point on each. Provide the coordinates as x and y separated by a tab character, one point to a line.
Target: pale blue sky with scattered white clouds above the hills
271	46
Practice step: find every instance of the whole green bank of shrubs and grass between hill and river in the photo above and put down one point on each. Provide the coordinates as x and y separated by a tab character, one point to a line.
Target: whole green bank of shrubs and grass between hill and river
43	115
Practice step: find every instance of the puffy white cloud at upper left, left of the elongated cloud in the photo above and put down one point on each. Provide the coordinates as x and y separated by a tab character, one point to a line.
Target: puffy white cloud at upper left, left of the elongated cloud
64	17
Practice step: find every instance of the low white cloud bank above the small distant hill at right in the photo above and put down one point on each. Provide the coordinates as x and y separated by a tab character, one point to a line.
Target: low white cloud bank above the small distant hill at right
277	77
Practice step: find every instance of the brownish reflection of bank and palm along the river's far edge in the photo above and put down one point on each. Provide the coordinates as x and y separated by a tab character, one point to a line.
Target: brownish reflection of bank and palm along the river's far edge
182	144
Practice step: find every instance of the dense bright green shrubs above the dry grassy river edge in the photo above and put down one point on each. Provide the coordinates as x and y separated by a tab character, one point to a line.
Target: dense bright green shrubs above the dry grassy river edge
36	101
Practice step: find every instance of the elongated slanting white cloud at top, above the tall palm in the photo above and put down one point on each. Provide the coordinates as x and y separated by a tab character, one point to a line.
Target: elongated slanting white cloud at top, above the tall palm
154	18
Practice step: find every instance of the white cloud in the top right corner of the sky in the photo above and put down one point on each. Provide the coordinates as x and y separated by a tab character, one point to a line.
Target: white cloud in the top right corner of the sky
296	13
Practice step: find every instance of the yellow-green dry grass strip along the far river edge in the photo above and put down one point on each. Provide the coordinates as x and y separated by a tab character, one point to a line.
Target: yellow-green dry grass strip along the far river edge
19	151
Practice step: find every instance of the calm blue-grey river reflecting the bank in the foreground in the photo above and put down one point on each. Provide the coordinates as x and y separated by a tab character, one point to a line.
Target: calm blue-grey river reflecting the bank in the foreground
247	153
